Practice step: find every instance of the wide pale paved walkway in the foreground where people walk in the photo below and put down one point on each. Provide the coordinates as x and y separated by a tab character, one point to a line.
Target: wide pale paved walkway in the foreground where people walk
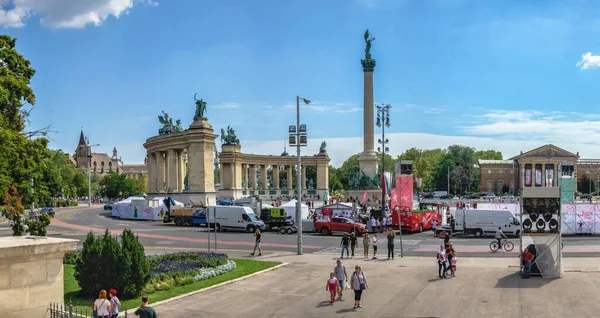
408	287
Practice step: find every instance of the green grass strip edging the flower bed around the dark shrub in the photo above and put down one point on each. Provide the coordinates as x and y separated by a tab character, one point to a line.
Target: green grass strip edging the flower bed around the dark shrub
244	267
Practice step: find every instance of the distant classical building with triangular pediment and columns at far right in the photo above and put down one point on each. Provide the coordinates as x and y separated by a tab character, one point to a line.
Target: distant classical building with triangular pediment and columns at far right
540	167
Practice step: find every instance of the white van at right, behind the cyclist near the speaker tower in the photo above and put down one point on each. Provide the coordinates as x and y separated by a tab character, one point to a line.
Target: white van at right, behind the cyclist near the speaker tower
486	222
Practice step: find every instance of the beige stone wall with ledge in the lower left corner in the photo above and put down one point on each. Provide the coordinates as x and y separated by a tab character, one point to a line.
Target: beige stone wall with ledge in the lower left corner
31	275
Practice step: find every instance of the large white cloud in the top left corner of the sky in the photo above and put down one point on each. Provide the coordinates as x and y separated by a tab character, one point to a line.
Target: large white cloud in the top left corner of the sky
64	13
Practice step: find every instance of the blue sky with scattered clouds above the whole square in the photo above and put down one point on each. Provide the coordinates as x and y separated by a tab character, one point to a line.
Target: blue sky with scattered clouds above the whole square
509	75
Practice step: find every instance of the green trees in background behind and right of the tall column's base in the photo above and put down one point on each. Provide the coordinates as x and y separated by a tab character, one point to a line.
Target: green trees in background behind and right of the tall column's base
432	165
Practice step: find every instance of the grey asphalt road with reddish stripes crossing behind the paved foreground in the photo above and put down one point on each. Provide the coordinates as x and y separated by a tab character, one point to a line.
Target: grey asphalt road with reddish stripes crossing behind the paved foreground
158	236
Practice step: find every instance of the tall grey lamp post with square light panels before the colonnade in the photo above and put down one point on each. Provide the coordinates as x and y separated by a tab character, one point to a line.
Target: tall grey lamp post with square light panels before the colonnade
297	137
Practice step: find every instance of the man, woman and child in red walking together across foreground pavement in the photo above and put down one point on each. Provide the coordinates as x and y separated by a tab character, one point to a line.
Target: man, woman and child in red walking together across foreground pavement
338	280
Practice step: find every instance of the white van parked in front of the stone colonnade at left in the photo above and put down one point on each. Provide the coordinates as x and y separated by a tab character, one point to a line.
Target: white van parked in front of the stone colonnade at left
235	218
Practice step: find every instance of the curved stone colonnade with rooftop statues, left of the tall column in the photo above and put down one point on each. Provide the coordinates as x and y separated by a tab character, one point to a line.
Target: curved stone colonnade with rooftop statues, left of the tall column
181	165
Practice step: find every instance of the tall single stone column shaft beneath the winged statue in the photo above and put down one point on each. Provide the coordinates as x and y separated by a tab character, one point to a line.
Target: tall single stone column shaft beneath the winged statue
368	158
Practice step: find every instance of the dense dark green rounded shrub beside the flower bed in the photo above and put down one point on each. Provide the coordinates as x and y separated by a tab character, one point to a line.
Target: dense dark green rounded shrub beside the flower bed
104	263
